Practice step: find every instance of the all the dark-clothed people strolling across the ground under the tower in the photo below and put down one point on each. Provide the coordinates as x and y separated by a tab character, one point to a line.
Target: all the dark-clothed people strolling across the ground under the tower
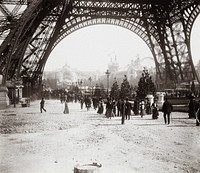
124	108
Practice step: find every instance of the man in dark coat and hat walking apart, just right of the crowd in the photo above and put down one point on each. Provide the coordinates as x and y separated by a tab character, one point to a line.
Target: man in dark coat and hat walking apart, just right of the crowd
167	109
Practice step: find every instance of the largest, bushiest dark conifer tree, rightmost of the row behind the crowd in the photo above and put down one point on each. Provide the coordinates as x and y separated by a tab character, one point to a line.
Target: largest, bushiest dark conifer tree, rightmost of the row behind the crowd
145	85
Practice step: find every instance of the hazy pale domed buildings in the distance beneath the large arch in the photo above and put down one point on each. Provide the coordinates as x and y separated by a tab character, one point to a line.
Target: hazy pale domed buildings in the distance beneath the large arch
68	76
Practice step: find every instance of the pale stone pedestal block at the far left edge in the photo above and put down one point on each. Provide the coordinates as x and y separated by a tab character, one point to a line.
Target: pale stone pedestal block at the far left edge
4	100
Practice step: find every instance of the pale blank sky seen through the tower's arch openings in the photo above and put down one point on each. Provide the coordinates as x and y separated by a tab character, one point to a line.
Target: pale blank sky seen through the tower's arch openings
91	48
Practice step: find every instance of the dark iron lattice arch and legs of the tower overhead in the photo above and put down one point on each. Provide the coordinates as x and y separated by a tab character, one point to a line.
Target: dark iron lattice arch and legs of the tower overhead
164	26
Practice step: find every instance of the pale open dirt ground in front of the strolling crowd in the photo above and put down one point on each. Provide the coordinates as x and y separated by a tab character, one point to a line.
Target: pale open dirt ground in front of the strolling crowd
53	142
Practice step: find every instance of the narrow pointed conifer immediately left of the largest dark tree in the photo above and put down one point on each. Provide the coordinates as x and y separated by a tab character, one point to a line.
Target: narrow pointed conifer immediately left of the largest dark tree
125	88
